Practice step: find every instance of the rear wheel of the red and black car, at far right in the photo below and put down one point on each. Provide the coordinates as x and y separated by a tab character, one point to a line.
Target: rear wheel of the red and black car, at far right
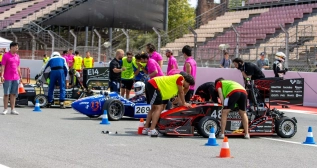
285	127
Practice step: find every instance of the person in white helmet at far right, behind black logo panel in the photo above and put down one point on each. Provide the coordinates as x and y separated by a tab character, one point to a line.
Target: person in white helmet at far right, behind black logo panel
279	70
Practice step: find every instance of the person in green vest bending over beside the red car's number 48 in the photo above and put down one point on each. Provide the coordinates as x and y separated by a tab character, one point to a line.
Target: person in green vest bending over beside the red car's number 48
230	94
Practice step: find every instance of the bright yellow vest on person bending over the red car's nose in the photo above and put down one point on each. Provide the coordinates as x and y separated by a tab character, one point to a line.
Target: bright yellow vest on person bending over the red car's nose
167	85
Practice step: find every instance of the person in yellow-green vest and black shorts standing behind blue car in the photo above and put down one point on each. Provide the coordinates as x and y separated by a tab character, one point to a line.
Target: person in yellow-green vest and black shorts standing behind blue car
127	76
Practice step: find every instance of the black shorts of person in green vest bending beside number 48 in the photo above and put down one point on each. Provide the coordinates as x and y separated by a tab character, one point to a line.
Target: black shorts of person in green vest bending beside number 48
236	98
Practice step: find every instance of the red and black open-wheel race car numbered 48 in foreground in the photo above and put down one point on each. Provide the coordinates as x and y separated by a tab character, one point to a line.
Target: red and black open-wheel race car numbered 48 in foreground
182	121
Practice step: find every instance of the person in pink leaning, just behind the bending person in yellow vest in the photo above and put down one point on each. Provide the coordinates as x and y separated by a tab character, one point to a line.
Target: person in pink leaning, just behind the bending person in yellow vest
153	68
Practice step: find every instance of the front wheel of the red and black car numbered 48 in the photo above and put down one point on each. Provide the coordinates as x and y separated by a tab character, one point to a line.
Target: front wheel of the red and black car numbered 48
204	125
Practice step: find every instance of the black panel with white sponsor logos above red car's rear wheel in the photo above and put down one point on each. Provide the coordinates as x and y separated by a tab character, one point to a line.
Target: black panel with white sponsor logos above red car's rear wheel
288	91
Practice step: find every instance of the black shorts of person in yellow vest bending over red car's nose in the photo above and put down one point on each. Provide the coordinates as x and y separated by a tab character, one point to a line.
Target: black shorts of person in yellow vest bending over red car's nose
153	96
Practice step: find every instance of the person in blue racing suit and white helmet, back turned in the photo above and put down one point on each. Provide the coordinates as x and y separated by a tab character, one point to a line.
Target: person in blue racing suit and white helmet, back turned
59	70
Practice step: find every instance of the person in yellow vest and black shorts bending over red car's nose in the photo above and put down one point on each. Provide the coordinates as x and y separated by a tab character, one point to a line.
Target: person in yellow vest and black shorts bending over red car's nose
158	91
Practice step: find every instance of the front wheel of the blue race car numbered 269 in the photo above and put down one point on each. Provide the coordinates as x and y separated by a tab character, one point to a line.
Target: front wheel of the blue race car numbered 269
115	109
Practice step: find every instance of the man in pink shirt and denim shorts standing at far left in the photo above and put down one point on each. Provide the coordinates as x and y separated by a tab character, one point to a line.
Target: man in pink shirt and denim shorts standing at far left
11	77
